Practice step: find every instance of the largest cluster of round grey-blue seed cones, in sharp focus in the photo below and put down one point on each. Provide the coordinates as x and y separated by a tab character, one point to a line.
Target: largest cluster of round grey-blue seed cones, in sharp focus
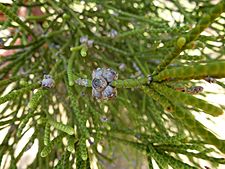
101	83
